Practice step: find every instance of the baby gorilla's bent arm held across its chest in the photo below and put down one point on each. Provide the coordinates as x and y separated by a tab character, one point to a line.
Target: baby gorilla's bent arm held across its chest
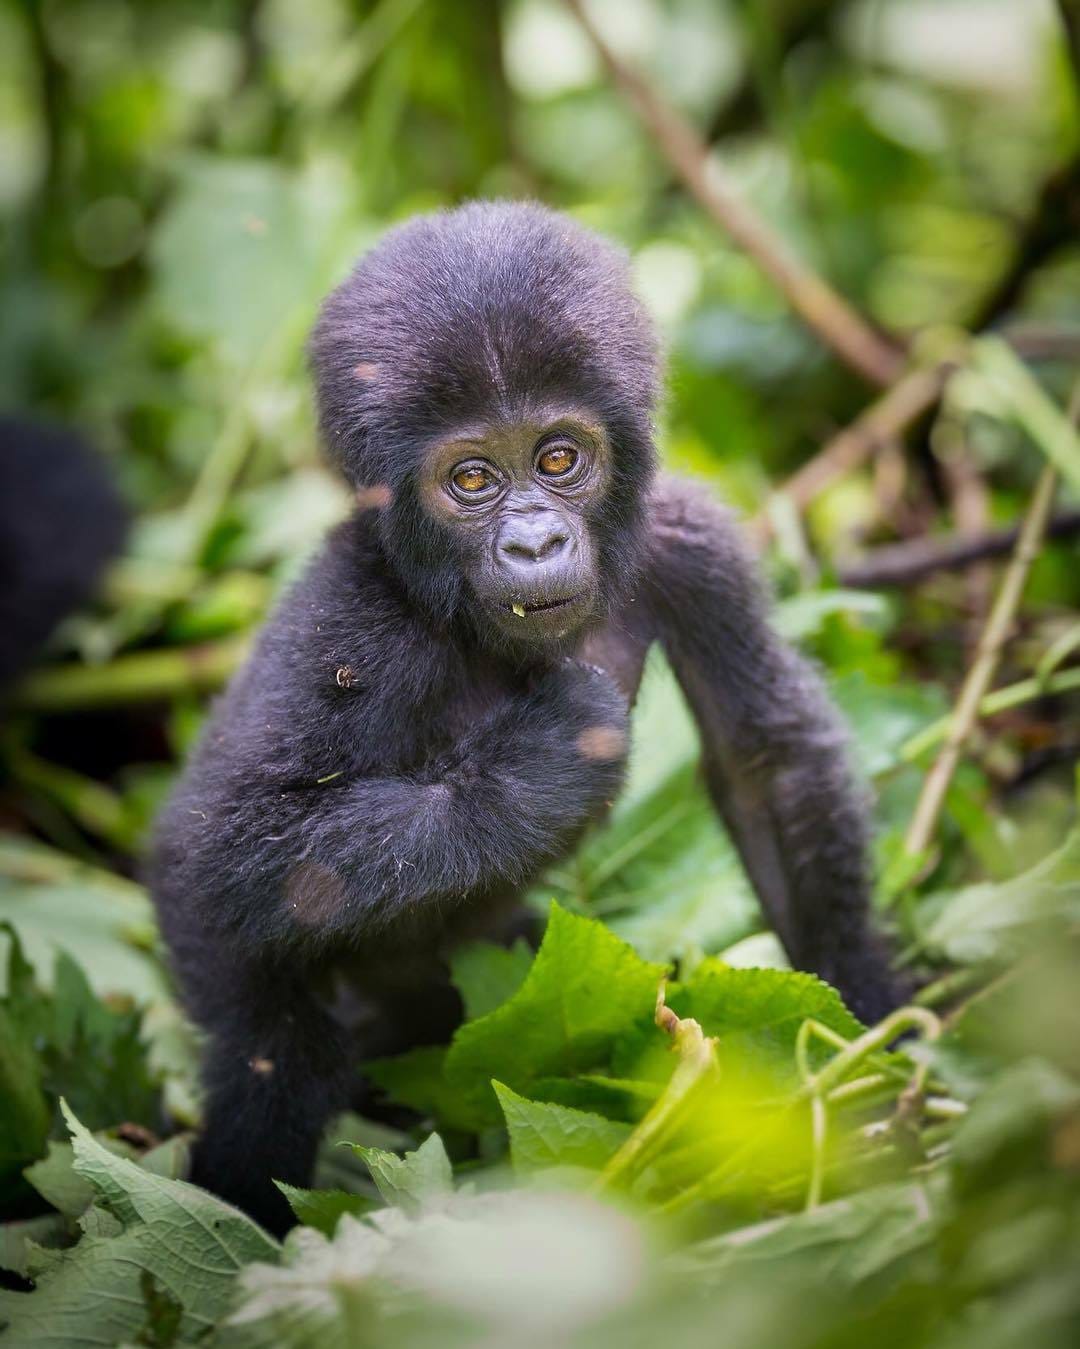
265	861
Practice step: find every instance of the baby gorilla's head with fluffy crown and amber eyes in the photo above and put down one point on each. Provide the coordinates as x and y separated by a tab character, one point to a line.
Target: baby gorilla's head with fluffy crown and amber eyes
487	381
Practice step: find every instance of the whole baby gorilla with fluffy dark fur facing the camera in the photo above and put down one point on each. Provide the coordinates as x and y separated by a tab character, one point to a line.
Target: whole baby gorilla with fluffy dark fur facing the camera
439	709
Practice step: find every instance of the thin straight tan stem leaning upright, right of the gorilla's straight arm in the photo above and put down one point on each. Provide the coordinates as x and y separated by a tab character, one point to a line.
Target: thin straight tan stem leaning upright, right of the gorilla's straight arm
985	667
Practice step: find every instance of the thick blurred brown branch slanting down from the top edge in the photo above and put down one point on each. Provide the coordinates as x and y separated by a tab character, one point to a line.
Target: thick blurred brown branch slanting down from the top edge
819	306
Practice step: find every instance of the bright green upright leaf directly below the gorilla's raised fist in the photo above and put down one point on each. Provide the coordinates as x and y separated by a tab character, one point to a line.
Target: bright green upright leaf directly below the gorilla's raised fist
584	988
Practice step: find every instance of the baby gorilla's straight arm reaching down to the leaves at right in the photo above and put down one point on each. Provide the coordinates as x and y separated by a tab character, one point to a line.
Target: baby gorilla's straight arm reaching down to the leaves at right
775	751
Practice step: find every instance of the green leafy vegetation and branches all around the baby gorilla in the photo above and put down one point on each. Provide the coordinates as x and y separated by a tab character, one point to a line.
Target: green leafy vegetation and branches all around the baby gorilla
857	226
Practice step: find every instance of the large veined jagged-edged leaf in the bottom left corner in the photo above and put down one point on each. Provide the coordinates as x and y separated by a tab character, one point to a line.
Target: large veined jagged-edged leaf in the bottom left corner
152	1243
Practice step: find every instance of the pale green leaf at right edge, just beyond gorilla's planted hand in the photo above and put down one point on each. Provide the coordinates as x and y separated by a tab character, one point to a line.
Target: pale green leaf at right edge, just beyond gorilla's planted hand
994	921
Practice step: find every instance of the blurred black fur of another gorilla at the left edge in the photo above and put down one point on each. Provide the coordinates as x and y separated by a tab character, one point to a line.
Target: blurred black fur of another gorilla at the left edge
61	520
